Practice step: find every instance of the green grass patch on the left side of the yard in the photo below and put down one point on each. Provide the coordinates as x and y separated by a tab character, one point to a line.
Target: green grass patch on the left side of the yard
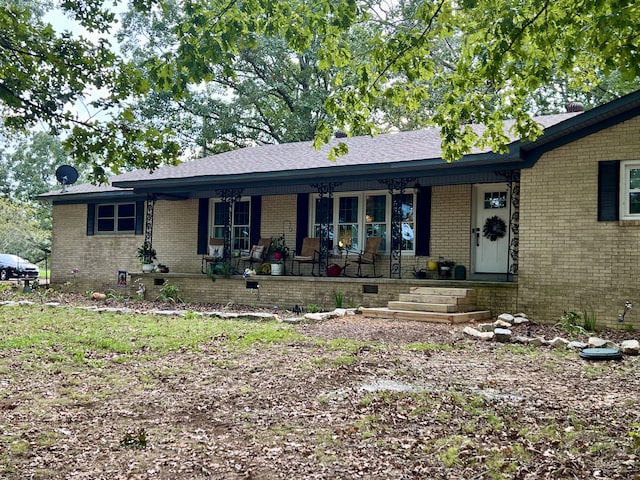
56	335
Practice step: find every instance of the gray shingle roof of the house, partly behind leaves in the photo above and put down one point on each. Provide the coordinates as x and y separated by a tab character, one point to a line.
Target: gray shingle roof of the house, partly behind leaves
364	151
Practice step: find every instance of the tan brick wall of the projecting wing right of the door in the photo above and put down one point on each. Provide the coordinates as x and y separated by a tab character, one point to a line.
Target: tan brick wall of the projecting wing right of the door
569	260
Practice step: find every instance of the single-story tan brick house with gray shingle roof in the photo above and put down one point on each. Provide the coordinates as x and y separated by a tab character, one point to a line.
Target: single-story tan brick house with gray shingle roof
551	226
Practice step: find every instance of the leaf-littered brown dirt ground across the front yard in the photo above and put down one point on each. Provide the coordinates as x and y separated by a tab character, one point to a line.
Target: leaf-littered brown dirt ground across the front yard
374	399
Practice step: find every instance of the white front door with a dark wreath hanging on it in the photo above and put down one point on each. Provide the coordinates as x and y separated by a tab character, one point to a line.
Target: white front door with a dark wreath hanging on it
490	233
